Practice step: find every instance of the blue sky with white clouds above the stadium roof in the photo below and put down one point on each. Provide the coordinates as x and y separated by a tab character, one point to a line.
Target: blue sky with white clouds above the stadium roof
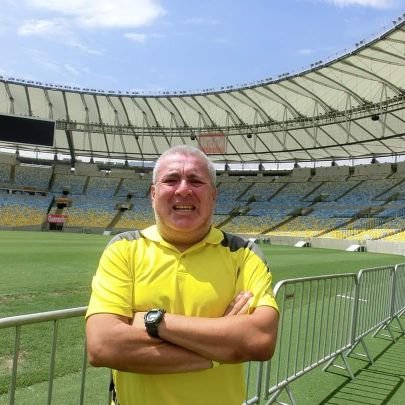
162	45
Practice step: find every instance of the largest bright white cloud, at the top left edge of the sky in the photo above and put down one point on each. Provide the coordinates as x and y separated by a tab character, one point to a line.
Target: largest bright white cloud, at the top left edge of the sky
104	13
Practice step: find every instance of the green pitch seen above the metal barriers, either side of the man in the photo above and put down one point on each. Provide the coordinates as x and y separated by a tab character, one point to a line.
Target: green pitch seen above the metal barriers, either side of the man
42	271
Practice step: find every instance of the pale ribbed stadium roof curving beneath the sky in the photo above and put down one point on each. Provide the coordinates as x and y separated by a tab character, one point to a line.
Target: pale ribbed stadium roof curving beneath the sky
349	107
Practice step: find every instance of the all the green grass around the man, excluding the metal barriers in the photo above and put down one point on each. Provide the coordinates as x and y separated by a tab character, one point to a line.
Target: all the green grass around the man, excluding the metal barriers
48	271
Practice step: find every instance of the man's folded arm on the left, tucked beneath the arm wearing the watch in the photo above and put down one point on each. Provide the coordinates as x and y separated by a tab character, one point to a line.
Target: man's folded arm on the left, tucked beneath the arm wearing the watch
123	344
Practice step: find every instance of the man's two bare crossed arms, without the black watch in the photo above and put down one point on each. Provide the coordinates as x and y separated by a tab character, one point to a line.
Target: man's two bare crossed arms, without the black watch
186	343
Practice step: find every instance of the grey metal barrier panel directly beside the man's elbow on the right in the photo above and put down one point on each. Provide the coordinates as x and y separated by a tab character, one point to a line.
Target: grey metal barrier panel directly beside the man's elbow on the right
312	311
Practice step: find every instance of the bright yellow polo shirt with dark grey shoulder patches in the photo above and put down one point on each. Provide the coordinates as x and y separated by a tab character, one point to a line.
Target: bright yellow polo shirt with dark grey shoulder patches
139	271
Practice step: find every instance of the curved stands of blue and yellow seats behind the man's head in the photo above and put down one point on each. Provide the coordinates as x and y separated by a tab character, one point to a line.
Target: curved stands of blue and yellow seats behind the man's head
334	203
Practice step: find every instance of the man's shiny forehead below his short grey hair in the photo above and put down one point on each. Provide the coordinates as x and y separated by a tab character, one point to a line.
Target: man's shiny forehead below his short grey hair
183	165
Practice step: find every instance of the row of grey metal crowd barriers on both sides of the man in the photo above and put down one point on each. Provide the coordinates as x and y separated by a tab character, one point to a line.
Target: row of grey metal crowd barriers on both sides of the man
322	318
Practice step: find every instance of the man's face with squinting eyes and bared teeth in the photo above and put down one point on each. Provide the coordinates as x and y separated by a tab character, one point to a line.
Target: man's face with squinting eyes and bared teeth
183	198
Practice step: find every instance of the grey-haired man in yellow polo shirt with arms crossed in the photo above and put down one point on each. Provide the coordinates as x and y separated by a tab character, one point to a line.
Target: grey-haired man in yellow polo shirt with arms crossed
178	307
